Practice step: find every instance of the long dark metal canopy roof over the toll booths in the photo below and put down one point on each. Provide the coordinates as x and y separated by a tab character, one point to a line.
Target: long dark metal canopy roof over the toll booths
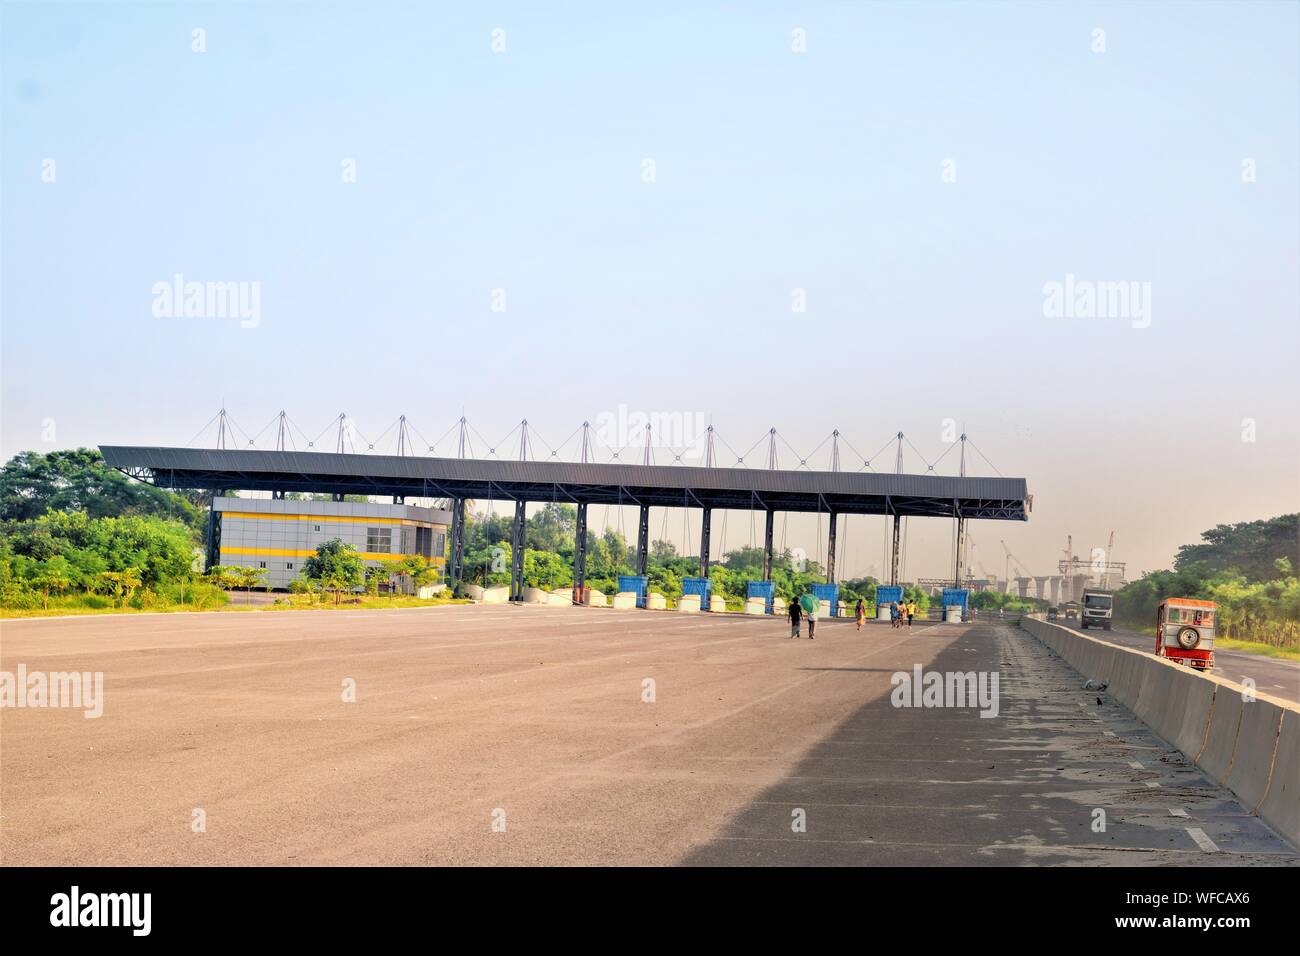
866	494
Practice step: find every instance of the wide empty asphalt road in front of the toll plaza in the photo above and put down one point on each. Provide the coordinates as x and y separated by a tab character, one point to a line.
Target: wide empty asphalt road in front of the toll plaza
530	736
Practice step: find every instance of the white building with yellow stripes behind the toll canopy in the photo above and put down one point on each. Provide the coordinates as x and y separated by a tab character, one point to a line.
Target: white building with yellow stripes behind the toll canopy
280	535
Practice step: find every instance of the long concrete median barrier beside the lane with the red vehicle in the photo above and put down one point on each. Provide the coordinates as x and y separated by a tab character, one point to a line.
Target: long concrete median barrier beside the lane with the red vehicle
1253	747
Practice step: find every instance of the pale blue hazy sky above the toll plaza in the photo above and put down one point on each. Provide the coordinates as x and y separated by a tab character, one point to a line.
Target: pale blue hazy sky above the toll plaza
775	171
